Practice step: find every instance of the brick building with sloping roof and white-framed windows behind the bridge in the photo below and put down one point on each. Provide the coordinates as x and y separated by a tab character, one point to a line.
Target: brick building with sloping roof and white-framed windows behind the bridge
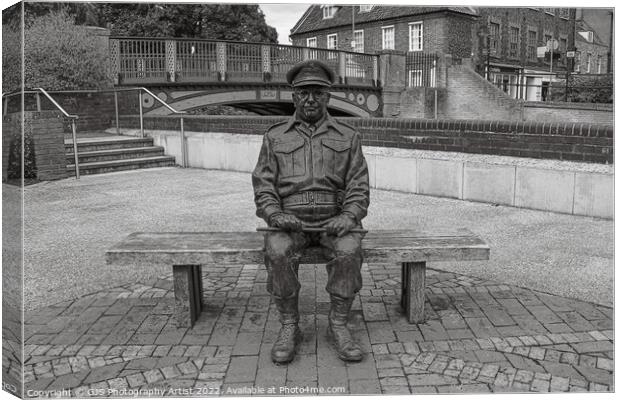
375	28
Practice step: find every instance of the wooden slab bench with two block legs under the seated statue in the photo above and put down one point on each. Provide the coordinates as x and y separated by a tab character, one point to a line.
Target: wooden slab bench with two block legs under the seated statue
187	252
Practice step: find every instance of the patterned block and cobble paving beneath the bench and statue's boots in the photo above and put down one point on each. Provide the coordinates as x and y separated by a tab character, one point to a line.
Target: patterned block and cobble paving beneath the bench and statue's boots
480	336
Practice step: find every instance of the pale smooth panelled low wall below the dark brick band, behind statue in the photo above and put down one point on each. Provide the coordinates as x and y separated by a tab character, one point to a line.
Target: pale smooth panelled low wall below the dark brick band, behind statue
572	188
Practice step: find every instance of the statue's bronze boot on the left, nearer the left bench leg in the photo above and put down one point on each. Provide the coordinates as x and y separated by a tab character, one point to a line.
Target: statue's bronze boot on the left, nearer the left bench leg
289	337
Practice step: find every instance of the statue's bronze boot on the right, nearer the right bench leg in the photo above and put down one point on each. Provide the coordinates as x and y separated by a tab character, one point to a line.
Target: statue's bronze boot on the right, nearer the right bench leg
346	347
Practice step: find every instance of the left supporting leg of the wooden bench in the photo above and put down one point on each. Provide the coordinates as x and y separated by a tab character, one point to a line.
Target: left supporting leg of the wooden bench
187	294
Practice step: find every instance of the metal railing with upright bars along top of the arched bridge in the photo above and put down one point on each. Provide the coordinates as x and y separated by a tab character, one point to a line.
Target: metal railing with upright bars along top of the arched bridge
136	61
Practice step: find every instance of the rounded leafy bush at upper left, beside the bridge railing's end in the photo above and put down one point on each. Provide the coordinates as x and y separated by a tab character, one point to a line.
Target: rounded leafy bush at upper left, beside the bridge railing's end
61	55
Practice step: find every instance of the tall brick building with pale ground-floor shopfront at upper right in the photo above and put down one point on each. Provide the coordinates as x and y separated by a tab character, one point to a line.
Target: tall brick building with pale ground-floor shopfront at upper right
523	50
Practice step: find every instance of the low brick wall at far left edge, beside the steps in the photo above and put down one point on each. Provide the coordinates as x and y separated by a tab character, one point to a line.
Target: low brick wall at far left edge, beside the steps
44	140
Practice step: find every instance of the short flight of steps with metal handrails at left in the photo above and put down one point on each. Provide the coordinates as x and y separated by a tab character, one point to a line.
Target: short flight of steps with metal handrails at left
99	153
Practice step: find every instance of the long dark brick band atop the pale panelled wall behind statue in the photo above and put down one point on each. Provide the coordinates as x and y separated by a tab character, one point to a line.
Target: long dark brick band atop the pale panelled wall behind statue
562	141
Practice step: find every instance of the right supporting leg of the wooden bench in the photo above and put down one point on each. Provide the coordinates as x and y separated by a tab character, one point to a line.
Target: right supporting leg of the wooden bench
413	286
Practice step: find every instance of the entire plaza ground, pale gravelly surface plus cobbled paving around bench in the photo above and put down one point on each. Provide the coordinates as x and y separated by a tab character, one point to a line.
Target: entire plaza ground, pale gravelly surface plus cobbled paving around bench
495	326
